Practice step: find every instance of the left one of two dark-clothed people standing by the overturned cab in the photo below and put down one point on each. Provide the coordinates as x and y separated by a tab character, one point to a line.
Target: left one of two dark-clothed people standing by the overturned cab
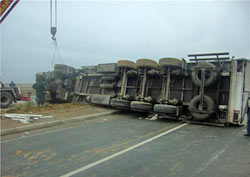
40	91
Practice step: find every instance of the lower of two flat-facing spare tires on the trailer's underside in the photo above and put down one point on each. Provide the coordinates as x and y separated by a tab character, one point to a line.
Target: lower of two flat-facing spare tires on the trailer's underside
194	106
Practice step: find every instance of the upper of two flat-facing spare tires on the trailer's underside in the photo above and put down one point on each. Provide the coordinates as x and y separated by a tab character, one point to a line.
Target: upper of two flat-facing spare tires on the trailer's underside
211	74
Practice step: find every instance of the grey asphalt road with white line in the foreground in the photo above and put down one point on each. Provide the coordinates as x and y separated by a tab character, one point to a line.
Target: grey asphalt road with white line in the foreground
123	145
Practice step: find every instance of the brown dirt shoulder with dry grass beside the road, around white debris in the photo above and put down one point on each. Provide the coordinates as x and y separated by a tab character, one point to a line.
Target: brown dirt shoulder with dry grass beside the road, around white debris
58	111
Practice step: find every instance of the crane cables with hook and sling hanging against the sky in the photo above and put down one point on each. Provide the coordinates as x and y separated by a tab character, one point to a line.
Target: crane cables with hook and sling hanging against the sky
53	30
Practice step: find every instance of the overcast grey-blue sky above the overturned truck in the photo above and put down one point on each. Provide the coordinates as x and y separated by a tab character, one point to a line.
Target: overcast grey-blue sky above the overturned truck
92	32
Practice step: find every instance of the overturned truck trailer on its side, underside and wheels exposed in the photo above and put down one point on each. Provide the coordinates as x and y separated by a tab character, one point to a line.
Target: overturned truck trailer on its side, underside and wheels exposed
210	88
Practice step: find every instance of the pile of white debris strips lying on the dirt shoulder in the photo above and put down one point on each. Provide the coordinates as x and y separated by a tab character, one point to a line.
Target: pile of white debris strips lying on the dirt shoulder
25	118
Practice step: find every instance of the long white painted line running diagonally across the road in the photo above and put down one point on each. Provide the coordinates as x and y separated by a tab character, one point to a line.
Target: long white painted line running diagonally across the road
121	152
